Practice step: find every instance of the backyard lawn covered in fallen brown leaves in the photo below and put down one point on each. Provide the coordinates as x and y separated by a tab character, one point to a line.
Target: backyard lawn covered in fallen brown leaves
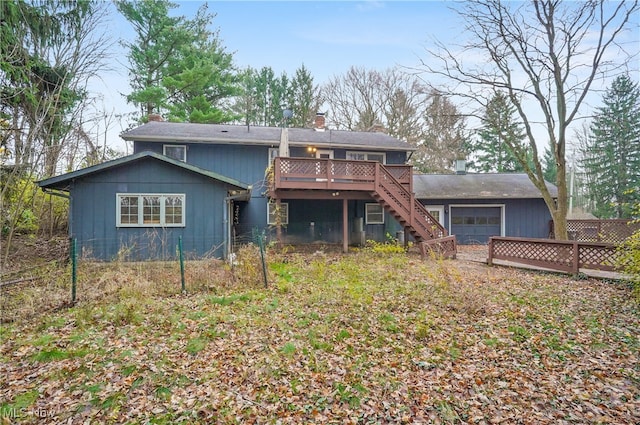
358	338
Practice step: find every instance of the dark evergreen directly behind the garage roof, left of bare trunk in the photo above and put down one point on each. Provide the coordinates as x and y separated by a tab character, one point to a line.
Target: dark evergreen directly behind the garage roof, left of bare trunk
499	133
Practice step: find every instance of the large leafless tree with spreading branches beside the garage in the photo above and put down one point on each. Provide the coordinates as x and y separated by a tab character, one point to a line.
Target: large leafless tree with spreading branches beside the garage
546	56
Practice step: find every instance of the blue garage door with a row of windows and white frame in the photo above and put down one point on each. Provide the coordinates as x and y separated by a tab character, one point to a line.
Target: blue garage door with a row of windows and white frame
473	225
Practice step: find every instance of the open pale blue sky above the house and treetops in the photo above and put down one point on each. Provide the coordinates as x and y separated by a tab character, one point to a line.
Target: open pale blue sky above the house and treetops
328	37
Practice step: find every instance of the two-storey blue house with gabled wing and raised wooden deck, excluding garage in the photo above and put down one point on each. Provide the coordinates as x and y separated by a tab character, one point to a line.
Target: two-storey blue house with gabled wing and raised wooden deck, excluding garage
214	185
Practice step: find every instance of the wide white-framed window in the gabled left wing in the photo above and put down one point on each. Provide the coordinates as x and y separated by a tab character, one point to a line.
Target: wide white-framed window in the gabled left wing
150	210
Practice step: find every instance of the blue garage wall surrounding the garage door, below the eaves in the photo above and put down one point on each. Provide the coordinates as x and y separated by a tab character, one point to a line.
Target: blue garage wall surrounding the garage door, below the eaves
527	218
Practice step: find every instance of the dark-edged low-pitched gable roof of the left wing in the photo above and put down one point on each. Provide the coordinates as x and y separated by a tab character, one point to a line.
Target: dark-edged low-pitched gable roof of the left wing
62	182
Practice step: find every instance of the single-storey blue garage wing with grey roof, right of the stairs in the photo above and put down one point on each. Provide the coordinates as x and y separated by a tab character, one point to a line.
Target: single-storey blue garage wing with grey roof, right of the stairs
475	207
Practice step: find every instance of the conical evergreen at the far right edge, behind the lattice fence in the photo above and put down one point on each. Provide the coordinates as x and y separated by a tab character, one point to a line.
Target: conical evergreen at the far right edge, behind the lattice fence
611	158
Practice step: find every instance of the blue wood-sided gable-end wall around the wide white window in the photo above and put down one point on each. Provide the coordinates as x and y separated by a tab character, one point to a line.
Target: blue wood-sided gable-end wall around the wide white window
94	213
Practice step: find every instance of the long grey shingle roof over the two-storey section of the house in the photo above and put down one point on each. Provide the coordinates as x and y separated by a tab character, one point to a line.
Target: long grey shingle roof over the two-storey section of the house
154	131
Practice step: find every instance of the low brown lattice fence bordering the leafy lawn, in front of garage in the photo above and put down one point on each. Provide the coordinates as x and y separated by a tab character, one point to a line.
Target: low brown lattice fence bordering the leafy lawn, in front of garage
565	256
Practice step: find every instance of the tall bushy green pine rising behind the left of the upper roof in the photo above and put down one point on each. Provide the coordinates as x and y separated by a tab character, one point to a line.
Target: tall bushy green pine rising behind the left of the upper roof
178	67
